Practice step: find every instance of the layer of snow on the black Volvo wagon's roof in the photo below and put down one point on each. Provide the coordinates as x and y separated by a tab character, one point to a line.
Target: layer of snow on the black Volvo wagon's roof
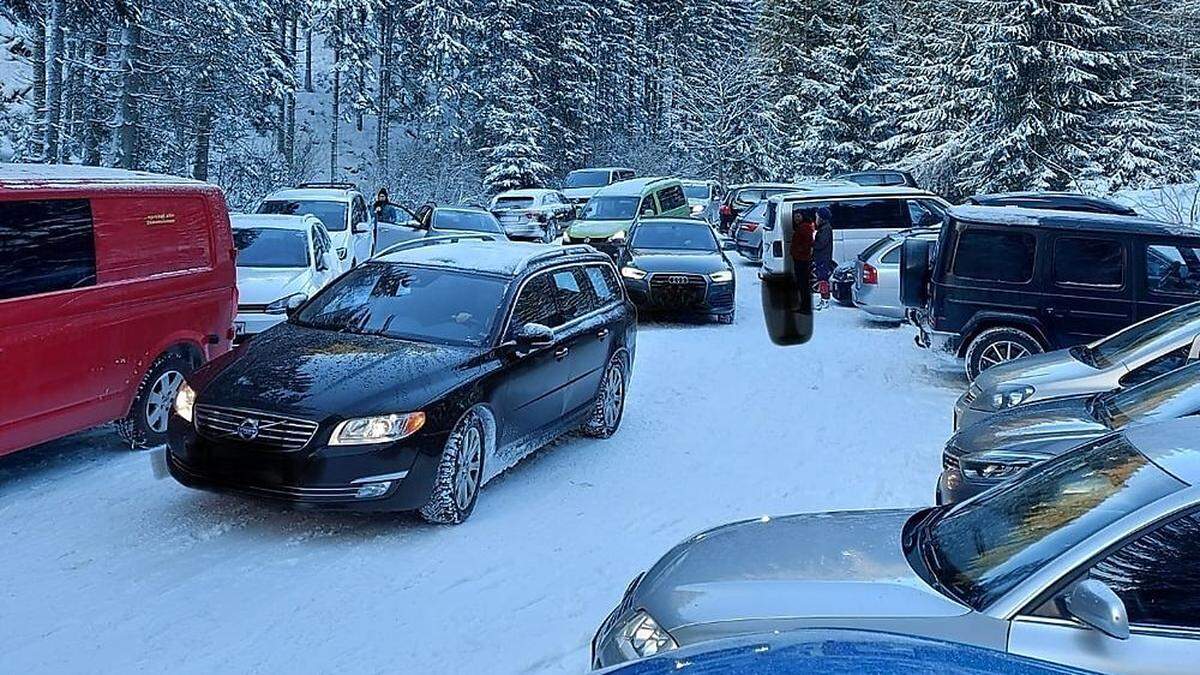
490	258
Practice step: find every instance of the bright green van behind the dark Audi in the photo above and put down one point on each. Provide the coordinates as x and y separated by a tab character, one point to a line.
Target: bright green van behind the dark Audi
613	211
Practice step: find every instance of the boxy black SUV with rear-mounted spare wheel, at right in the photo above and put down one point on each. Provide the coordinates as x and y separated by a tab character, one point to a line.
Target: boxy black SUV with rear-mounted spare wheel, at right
1005	283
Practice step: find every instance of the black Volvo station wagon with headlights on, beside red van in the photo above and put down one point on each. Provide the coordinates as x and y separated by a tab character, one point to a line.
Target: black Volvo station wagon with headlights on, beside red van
413	379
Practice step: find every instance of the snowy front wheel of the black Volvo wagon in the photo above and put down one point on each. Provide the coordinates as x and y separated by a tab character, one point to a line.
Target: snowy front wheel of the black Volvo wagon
460	475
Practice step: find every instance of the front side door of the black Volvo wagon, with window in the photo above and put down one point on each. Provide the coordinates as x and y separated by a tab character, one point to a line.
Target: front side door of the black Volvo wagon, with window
531	396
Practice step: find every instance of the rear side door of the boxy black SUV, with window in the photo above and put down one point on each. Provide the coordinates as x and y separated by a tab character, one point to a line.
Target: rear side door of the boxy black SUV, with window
1093	294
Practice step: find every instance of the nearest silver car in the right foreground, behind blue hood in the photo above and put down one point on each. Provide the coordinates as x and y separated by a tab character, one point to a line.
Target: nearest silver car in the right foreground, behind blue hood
1053	566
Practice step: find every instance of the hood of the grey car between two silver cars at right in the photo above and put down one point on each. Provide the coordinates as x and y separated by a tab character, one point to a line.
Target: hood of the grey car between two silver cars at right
1048	427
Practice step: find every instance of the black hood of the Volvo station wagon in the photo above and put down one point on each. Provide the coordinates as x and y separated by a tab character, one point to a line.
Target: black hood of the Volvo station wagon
317	374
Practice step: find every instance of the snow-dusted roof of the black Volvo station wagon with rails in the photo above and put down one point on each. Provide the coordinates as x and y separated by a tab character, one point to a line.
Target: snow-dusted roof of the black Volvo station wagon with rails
488	256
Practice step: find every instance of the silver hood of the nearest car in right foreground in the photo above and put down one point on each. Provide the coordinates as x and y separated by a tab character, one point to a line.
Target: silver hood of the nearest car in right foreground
829	565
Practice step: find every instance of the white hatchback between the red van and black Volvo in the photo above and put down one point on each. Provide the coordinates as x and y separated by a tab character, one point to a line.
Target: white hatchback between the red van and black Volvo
283	261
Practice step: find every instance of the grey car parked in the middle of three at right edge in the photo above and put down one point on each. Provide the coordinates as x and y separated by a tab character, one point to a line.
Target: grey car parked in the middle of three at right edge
985	455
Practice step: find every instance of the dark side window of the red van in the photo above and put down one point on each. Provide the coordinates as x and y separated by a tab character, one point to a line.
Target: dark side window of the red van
45	247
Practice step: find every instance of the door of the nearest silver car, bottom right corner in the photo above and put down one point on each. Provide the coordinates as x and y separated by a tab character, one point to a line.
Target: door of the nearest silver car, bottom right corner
1156	578
